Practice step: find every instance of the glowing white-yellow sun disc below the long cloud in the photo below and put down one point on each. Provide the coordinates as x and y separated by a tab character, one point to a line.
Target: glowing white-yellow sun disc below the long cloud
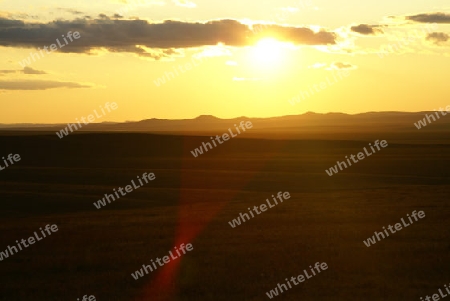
268	52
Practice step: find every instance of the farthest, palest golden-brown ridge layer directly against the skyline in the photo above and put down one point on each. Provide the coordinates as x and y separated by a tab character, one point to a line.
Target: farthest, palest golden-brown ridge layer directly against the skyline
205	122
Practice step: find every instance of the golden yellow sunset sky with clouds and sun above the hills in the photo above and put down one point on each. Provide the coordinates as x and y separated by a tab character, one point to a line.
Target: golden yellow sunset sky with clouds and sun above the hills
178	59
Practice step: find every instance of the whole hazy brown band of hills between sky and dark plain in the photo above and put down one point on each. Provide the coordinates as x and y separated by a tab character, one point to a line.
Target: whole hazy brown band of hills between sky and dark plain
305	126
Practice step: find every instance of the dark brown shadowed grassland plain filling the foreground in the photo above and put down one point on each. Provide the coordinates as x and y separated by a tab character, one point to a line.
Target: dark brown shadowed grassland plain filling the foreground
191	201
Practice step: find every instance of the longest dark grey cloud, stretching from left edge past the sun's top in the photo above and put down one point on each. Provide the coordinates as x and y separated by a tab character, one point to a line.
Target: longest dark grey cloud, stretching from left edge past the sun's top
118	35
